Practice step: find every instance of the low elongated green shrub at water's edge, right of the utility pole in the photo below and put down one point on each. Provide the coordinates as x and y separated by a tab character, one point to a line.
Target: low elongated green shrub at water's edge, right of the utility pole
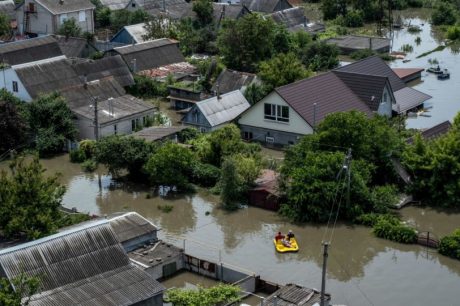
399	233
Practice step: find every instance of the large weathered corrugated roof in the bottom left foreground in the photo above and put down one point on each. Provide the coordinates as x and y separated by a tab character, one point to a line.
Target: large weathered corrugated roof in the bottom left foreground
84	265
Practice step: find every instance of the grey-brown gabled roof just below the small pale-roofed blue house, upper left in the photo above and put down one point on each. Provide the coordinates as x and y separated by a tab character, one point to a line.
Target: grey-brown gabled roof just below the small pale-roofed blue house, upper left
151	54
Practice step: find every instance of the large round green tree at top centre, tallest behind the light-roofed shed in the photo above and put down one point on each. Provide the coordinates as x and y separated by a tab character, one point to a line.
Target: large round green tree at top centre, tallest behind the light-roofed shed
245	42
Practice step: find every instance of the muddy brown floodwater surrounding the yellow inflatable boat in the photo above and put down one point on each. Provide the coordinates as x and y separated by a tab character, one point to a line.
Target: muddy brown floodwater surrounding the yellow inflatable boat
362	270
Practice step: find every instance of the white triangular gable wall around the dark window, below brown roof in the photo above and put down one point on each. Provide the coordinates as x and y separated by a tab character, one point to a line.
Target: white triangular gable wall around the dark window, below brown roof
255	117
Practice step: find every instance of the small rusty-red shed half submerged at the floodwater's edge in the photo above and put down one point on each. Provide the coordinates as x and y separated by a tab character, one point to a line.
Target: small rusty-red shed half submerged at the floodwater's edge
265	194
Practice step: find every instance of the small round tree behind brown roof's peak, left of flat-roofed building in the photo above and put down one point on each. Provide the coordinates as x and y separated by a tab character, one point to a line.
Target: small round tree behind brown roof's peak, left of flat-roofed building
319	56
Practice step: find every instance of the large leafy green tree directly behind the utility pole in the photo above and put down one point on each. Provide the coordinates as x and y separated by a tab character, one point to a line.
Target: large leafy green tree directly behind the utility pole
313	187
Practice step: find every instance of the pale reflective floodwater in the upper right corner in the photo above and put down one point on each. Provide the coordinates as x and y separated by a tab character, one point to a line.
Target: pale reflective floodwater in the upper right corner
446	93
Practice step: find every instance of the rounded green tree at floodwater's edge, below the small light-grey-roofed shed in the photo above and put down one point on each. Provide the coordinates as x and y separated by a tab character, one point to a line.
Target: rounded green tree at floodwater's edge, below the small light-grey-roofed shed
171	165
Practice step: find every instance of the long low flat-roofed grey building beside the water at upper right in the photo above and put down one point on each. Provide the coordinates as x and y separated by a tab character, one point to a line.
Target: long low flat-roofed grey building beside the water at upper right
351	43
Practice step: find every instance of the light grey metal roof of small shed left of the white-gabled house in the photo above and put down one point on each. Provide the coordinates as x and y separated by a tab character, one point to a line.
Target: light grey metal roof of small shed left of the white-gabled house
228	107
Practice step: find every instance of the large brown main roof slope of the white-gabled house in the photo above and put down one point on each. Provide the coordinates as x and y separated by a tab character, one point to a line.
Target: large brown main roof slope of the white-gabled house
326	90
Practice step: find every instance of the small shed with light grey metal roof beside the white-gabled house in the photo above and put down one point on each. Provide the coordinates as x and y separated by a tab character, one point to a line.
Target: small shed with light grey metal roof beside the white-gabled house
215	112
